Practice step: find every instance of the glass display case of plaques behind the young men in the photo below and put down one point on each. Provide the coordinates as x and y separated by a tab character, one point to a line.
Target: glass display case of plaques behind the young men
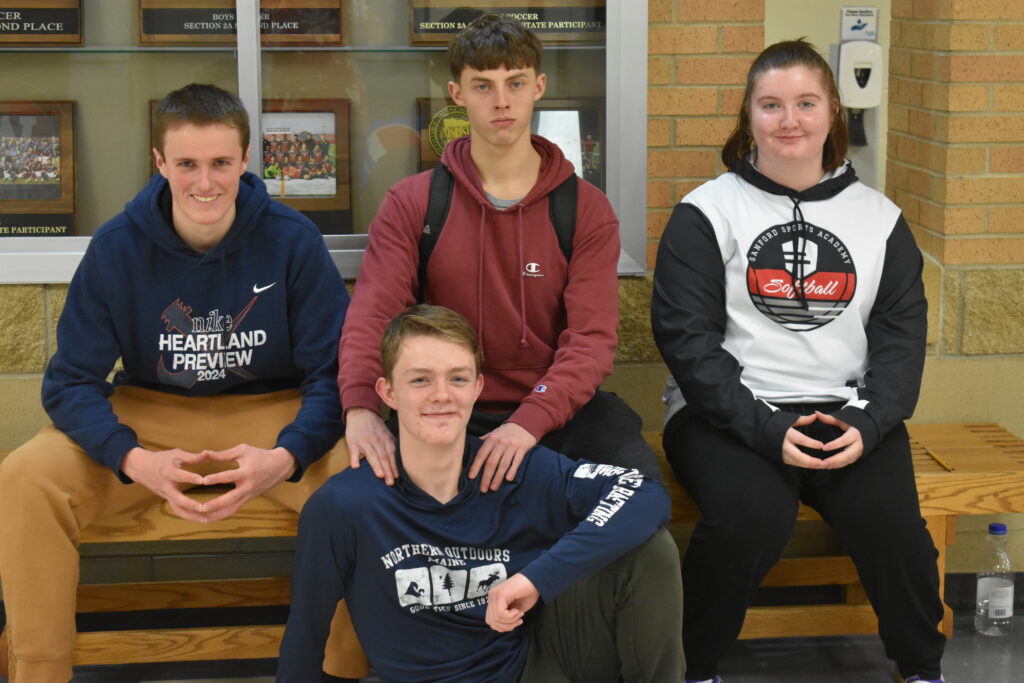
346	100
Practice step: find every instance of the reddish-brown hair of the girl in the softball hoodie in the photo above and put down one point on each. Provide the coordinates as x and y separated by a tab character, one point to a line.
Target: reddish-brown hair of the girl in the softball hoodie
783	56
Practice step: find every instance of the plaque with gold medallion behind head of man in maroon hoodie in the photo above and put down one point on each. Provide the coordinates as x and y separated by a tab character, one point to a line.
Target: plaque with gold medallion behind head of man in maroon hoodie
577	126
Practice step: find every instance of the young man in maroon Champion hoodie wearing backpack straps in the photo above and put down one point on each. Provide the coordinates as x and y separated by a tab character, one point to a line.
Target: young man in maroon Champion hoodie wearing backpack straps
546	321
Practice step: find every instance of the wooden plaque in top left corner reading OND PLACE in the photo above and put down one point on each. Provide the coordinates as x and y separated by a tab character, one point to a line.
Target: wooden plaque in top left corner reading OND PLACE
40	23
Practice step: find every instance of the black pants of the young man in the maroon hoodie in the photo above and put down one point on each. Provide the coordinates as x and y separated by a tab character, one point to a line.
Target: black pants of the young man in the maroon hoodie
606	431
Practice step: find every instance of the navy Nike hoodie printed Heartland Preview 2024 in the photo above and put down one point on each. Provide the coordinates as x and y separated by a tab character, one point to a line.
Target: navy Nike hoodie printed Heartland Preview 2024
261	312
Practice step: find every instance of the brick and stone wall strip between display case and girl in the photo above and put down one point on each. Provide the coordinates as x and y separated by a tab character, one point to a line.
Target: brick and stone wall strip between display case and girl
699	52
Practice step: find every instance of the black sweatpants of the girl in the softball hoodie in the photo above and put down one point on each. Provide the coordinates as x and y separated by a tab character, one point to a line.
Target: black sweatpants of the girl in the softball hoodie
748	513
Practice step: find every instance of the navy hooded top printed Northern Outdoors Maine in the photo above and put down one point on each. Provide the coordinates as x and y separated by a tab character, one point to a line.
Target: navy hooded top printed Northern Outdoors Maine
415	573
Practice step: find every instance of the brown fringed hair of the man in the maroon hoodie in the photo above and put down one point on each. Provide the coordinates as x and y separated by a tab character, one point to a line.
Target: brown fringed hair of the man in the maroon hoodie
494	41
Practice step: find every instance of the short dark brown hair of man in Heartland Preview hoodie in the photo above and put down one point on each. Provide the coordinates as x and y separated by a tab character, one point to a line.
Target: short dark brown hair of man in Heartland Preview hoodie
200	105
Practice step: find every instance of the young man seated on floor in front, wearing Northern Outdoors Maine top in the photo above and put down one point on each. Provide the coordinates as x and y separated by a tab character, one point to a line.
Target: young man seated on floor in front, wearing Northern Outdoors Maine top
562	575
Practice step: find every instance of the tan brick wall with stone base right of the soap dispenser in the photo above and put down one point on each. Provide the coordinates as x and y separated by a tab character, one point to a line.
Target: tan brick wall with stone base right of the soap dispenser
957	161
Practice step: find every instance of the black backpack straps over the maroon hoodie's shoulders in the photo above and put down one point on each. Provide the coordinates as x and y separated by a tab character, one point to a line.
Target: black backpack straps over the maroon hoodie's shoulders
562	209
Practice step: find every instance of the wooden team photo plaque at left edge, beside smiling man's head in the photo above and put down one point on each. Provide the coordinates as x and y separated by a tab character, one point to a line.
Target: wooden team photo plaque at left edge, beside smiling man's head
37	168
